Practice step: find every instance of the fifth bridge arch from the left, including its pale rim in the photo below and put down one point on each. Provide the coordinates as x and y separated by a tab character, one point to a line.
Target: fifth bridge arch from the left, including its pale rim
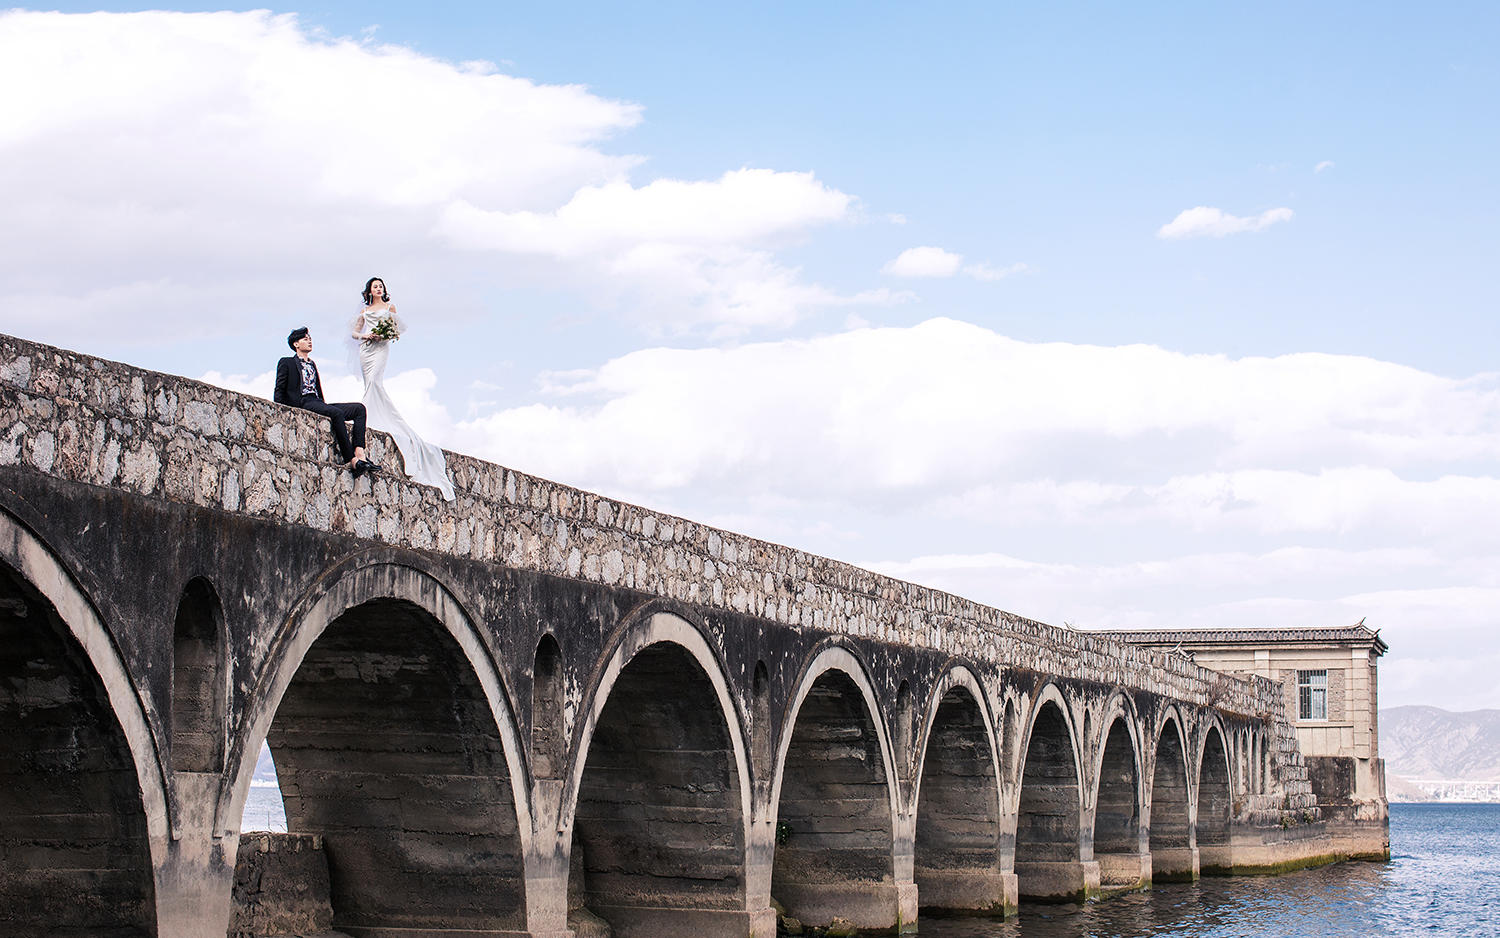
956	846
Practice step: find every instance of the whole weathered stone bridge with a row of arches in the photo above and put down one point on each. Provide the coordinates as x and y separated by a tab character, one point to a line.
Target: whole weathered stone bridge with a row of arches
535	708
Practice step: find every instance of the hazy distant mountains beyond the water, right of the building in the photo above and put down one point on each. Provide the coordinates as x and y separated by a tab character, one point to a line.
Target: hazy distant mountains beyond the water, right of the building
1436	754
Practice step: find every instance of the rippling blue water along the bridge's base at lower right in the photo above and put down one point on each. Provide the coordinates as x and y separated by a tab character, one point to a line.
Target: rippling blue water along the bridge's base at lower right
1444	880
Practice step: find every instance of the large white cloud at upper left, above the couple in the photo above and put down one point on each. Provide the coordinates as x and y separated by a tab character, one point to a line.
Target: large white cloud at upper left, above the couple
163	164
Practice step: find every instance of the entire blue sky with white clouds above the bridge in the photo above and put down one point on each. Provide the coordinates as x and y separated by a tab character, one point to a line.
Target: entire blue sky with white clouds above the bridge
1156	317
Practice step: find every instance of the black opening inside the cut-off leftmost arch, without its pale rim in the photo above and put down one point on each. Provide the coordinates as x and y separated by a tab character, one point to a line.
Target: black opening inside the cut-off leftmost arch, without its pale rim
73	822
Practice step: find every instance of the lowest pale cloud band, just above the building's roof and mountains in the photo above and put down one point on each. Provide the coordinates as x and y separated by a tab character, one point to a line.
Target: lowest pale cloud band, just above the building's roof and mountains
1436	631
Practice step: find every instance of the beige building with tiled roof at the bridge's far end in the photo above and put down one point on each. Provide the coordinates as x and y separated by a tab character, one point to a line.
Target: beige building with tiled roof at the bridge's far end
1328	679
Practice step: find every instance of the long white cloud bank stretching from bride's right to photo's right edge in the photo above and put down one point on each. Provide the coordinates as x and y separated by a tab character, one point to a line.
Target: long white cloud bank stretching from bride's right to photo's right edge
949	409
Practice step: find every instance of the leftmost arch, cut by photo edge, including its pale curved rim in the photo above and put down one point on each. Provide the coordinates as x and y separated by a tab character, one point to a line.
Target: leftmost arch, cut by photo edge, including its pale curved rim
74	741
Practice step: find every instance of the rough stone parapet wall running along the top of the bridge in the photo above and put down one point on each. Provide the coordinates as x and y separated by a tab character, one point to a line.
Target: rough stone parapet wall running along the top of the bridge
101	422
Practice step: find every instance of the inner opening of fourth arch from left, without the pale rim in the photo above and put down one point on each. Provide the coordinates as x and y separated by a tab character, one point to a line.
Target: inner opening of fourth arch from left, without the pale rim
835	811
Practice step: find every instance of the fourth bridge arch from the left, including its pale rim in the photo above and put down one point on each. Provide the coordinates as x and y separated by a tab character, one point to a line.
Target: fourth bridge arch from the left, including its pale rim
836	799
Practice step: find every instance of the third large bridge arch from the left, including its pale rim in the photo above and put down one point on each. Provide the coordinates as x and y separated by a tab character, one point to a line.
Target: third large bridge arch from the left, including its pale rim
659	789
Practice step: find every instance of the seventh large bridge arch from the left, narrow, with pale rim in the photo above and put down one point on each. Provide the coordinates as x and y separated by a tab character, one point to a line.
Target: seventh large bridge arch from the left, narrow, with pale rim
1120	796
